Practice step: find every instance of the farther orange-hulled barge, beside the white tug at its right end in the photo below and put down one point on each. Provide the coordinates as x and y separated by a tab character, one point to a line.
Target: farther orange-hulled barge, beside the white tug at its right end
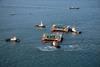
59	28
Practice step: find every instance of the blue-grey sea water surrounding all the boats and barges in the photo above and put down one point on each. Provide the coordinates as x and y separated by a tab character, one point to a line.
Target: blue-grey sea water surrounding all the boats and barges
18	17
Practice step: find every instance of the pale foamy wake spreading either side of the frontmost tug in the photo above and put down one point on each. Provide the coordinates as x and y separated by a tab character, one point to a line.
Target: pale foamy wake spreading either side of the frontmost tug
63	47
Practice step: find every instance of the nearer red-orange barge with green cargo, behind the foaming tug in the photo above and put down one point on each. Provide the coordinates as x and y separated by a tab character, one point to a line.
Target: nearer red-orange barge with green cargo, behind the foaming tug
52	37
